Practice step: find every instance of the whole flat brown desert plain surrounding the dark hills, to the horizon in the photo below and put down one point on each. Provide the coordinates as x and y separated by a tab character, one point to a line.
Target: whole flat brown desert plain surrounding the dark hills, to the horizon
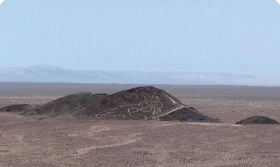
66	141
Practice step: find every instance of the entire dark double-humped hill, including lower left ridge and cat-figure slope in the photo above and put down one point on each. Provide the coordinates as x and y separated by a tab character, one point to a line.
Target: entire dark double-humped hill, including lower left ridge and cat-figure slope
141	103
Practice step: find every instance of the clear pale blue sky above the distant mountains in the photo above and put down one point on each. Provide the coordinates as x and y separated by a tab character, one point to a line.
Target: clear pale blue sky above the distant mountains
232	36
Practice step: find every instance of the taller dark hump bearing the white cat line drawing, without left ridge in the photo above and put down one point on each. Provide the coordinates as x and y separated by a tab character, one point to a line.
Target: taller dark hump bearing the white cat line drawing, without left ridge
142	103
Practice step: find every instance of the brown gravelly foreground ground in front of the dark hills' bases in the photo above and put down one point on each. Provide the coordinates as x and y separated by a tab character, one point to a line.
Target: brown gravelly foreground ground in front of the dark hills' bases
30	141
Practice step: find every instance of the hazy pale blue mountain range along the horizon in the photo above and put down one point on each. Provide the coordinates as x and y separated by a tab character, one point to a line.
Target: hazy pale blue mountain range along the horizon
50	74
